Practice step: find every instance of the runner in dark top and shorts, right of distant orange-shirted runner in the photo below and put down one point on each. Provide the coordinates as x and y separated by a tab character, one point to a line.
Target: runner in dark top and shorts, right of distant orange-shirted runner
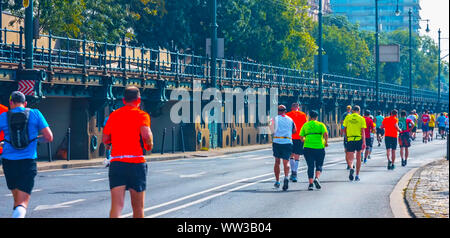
404	141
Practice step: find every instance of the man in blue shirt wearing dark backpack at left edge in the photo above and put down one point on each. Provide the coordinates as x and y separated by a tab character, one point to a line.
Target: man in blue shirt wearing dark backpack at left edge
19	165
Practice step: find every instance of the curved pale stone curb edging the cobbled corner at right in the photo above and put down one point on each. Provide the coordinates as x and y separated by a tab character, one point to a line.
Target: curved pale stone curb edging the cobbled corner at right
409	196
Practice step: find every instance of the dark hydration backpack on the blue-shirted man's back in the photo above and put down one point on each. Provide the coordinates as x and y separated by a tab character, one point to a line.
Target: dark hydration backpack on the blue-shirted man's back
18	129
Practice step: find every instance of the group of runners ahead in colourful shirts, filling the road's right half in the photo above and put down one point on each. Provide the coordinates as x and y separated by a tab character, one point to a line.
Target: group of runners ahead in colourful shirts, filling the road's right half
294	135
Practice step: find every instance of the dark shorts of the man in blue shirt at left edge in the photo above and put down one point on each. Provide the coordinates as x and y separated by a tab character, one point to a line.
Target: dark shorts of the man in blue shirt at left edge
20	174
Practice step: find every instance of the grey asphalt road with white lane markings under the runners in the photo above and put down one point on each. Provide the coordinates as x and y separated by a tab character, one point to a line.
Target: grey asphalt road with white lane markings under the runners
229	186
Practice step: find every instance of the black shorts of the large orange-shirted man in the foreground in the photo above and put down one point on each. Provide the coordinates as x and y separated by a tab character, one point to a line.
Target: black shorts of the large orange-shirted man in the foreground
130	175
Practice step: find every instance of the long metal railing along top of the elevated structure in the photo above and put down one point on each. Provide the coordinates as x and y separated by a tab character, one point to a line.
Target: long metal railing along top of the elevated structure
55	51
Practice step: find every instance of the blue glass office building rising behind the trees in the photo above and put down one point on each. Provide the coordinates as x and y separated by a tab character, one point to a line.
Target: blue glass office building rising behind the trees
363	13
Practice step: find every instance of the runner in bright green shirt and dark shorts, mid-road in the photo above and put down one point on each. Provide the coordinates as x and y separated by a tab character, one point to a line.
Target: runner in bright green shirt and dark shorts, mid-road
315	137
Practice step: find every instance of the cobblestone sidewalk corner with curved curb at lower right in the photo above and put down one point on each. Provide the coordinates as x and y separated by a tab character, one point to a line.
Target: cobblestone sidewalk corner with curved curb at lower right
427	192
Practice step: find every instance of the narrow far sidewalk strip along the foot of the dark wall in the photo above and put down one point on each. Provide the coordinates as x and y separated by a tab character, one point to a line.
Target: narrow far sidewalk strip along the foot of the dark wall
64	164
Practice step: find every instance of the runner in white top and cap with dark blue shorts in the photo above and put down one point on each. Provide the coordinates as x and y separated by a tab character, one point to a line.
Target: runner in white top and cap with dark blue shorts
282	128
